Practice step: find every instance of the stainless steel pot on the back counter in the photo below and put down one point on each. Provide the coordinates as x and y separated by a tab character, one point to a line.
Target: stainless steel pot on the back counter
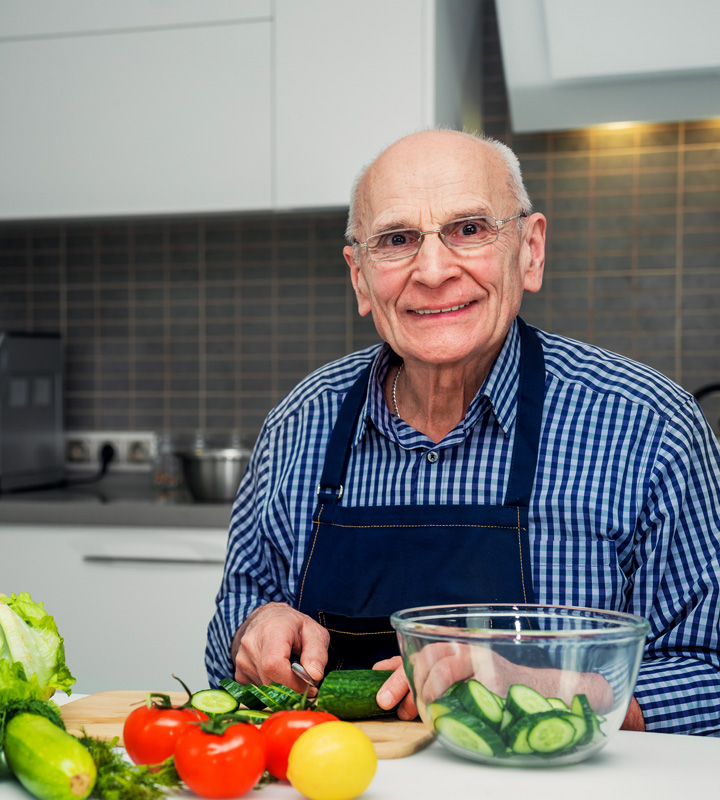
213	476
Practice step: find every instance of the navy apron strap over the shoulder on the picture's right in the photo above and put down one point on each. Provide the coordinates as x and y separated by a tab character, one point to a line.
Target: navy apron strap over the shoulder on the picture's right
528	418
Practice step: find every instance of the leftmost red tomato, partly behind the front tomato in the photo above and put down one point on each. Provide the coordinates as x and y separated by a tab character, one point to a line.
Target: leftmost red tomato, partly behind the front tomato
150	734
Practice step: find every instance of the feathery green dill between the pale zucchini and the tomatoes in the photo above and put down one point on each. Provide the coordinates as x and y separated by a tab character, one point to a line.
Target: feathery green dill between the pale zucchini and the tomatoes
118	779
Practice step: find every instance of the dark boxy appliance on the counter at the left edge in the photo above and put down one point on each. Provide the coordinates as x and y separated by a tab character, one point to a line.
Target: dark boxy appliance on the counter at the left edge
32	451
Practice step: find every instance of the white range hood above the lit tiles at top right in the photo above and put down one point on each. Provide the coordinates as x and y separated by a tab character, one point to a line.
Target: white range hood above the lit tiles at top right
574	63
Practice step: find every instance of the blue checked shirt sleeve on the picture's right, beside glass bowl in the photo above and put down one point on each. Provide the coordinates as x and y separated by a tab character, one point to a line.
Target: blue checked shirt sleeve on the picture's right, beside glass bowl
677	580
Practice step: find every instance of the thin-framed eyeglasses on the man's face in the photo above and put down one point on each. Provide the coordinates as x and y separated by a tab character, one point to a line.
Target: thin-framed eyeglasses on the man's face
458	234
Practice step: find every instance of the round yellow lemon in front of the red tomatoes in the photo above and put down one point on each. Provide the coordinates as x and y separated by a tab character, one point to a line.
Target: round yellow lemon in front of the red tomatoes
332	761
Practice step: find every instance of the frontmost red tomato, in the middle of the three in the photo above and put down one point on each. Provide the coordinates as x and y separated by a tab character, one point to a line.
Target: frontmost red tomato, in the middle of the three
225	765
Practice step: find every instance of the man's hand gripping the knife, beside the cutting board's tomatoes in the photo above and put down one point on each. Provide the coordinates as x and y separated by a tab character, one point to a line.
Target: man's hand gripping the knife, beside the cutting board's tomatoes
263	644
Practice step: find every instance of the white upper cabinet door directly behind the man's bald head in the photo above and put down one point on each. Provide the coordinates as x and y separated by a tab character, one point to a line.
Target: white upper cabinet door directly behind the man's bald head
351	78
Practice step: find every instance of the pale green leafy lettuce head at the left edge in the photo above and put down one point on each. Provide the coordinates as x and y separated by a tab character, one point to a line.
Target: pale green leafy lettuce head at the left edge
32	653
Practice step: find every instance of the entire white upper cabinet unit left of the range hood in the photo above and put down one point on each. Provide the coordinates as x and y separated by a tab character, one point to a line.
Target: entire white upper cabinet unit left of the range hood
136	108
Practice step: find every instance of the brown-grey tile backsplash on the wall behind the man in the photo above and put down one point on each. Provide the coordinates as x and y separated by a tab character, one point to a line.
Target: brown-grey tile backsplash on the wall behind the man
202	322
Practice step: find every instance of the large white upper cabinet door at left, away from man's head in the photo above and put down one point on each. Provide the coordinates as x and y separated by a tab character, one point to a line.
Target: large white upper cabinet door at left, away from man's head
136	122
